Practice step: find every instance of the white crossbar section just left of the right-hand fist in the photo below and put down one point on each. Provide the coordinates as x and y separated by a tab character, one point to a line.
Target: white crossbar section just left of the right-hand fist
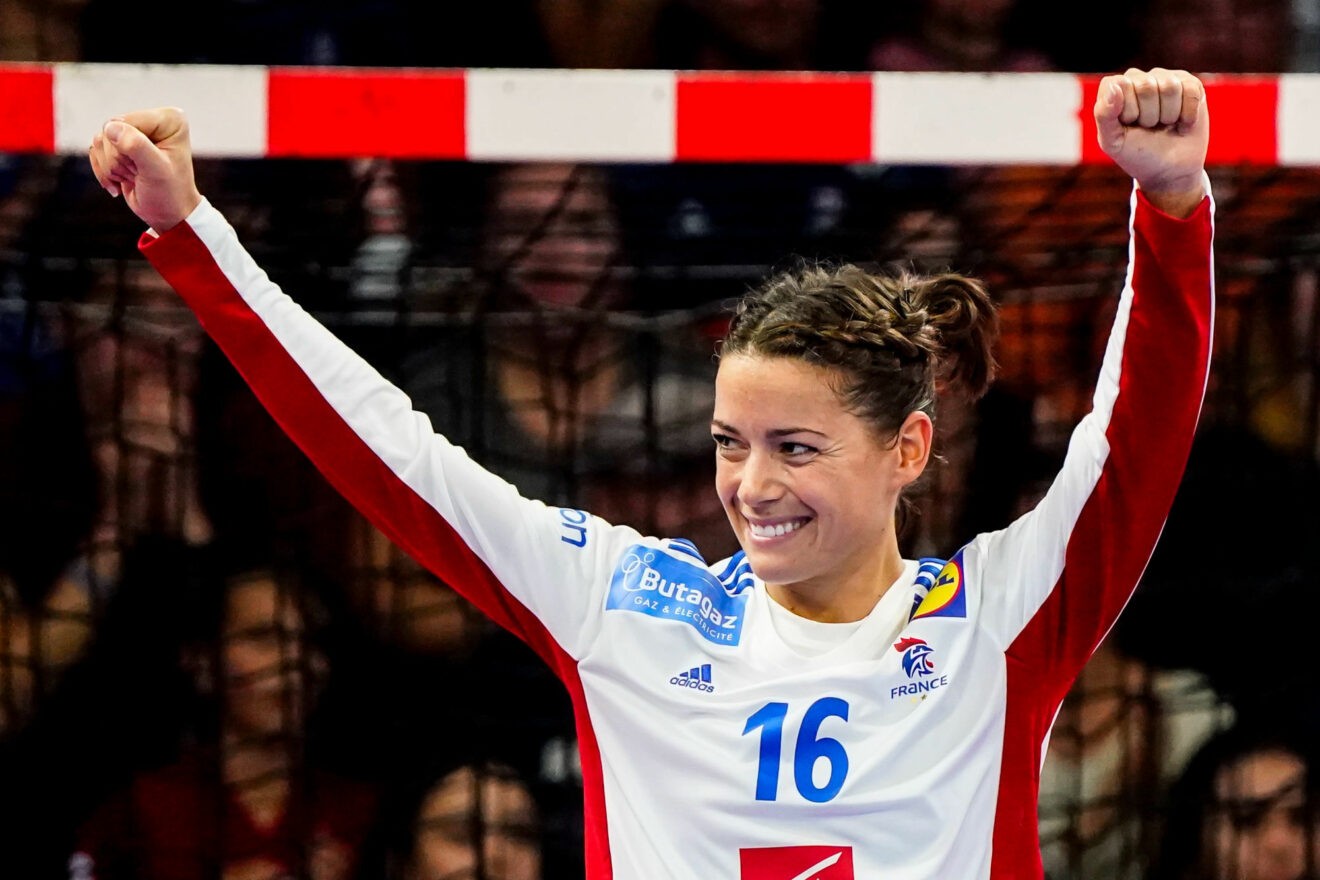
959	119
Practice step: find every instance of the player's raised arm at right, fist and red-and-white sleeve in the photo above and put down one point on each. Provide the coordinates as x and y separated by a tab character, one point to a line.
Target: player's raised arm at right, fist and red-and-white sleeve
1057	581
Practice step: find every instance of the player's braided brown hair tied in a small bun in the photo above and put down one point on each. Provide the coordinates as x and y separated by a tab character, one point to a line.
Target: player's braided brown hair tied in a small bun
893	340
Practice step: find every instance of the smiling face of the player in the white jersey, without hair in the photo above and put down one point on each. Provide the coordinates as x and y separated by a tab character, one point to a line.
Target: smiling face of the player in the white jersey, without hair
810	489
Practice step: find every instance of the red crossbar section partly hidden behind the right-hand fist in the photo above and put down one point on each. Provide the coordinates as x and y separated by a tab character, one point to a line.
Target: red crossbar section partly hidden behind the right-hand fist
1244	121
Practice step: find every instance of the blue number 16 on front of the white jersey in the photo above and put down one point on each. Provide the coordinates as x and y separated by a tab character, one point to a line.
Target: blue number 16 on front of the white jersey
811	749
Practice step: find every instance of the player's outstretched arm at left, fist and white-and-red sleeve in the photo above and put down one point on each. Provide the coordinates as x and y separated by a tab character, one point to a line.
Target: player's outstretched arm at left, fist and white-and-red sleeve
537	571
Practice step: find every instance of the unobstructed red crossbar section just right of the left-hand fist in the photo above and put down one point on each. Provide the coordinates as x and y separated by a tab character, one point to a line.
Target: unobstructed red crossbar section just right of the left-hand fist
405	114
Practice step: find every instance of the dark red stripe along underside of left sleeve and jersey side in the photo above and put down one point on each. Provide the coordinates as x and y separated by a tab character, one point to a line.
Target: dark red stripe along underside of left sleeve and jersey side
352	468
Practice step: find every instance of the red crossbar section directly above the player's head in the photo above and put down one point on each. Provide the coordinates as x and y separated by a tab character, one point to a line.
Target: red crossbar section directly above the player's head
775	118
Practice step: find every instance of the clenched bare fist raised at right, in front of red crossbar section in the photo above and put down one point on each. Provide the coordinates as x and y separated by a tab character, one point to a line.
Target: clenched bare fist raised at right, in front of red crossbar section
1157	127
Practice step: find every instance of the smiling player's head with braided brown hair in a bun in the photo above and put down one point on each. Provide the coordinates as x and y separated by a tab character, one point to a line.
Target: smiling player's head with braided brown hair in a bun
812	482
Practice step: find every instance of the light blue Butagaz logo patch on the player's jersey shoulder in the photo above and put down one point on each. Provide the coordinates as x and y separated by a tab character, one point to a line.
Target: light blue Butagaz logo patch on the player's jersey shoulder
658	585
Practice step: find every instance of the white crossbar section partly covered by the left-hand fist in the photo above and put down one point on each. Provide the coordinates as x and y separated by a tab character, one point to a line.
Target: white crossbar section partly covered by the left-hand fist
226	105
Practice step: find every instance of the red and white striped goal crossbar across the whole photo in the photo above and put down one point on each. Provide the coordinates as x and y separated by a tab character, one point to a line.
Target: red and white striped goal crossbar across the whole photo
633	115
